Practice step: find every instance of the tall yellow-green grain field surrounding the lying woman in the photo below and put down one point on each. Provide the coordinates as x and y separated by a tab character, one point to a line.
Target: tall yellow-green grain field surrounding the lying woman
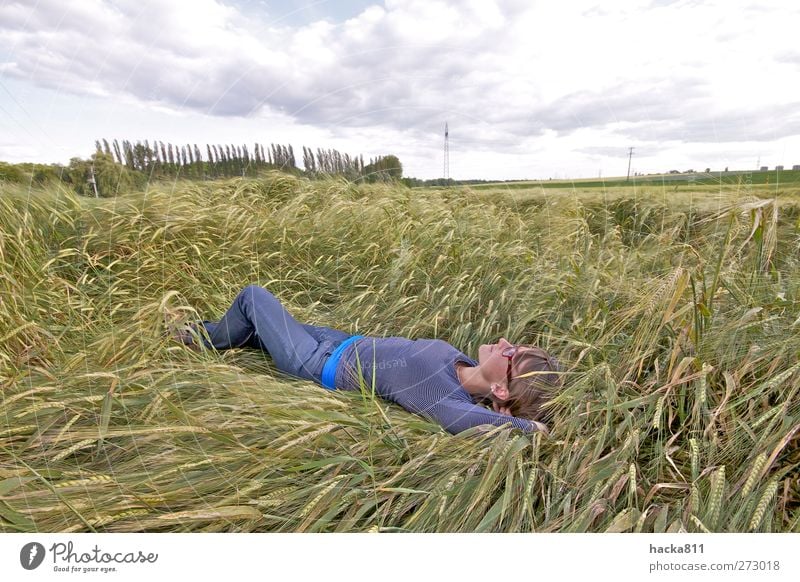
677	317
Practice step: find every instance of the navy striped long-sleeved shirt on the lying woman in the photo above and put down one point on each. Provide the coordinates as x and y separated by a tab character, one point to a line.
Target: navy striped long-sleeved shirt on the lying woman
419	375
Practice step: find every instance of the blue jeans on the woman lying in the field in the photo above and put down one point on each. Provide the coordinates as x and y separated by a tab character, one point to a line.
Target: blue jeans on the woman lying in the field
258	320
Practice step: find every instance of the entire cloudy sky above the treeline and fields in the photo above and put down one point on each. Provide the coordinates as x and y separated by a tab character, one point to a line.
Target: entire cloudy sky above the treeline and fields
529	90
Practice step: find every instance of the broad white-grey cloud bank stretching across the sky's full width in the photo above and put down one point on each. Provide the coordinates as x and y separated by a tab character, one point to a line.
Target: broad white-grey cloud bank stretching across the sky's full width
502	72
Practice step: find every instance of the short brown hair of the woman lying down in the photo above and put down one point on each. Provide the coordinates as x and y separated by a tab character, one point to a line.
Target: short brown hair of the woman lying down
528	394
